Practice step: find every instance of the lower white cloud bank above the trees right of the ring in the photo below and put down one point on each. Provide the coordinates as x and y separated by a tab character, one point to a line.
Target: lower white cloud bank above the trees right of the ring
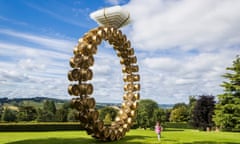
170	78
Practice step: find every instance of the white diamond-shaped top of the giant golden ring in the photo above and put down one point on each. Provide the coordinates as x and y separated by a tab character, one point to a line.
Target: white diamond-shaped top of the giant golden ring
114	16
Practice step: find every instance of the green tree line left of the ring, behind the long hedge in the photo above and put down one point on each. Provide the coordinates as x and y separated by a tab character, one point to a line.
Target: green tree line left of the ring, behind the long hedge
48	113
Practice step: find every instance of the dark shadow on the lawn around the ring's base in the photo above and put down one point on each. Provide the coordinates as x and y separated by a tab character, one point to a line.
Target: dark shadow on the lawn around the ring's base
127	139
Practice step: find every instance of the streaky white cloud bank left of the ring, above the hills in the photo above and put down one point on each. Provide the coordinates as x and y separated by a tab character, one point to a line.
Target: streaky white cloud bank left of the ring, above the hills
28	70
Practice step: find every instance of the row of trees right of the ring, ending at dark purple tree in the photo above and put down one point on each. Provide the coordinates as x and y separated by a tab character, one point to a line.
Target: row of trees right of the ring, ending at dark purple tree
198	113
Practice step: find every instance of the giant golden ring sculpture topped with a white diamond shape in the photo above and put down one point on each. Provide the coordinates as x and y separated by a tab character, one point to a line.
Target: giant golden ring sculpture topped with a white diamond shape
110	19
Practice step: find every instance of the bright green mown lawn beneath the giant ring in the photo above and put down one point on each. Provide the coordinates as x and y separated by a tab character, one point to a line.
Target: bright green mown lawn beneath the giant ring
133	137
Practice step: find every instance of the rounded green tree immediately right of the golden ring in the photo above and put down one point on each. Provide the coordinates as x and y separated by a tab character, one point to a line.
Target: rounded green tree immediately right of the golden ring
145	113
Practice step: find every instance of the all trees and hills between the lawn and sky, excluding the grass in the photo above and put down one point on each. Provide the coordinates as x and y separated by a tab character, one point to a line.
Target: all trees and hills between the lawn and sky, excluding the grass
202	112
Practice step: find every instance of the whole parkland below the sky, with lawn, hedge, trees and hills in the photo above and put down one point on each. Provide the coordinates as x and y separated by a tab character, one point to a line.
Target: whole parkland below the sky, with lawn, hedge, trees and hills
202	120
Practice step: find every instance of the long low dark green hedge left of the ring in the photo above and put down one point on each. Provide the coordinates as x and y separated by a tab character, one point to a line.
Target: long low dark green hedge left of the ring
40	127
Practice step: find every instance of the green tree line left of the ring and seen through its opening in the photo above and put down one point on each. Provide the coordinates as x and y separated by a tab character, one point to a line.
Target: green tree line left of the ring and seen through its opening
49	113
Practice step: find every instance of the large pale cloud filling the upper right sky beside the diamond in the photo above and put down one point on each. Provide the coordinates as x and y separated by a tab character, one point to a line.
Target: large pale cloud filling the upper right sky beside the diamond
207	24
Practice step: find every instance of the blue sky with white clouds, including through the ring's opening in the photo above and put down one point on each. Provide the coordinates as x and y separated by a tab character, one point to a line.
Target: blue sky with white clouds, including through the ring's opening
182	46
